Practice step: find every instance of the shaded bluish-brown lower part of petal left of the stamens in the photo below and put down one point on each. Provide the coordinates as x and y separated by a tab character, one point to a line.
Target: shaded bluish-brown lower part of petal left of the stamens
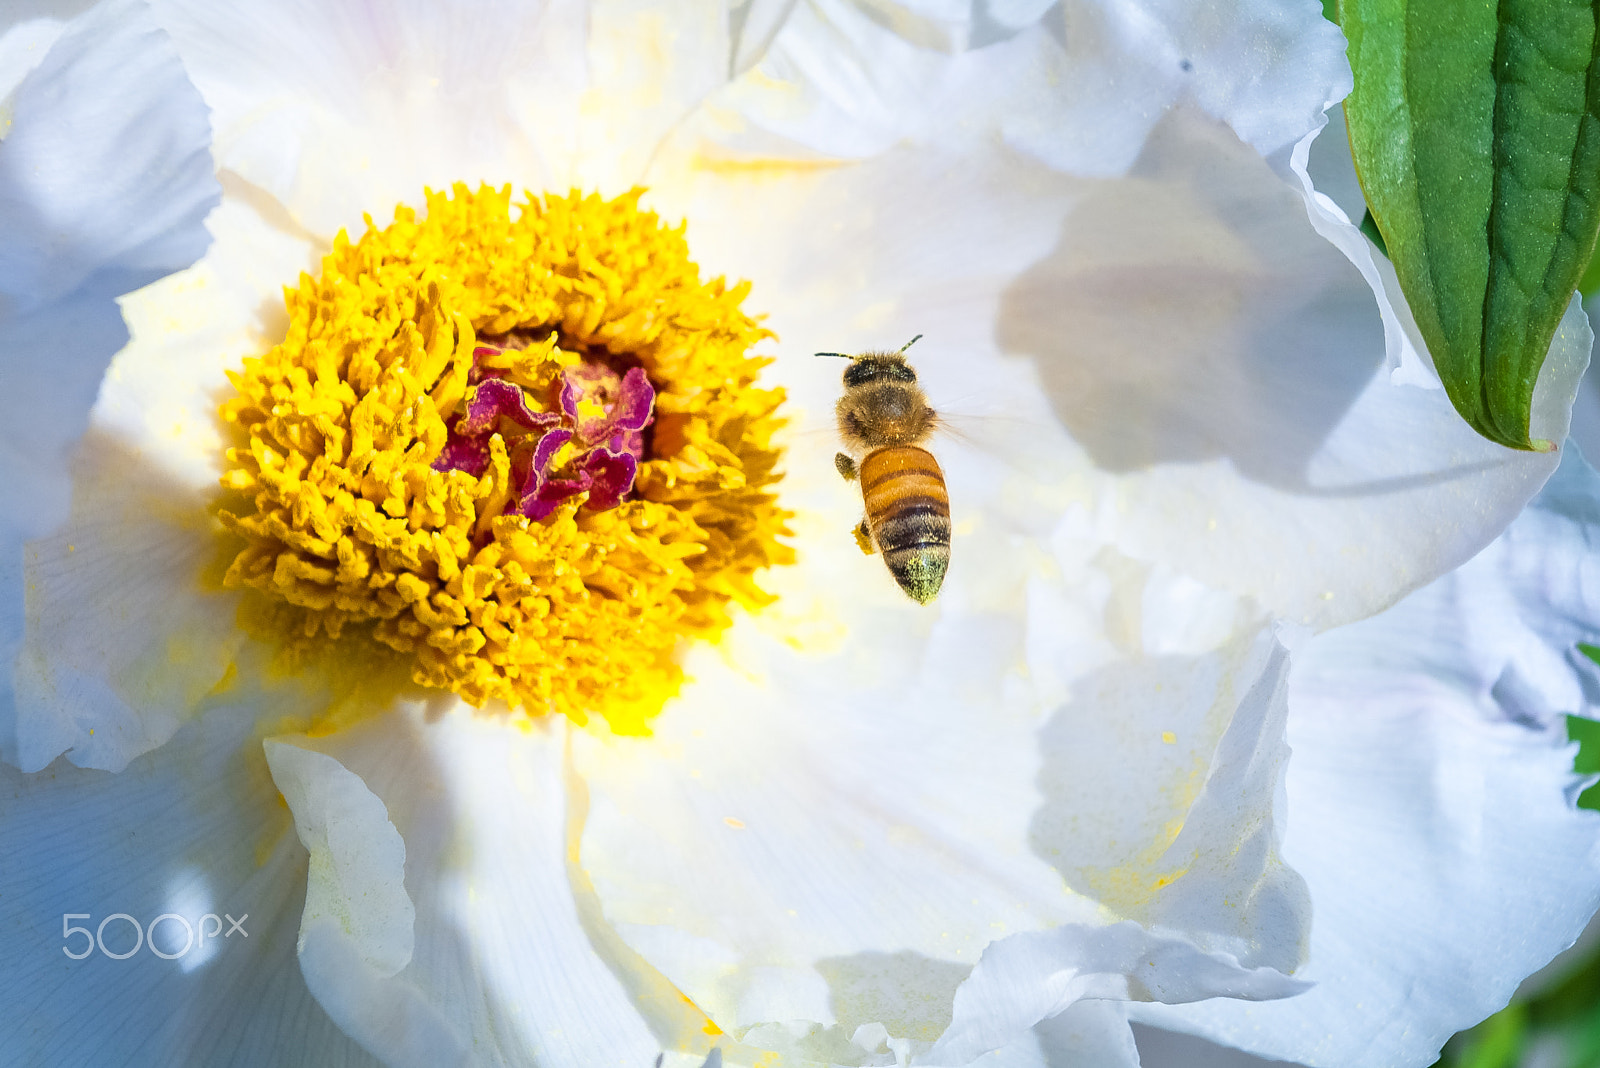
124	640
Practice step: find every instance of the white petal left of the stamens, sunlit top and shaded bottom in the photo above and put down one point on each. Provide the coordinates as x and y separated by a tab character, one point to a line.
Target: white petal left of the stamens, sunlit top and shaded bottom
138	549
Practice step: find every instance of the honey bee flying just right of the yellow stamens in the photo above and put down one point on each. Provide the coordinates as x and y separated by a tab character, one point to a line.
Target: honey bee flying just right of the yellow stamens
886	420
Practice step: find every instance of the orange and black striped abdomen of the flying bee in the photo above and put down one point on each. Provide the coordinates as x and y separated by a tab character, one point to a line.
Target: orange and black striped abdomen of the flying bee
910	517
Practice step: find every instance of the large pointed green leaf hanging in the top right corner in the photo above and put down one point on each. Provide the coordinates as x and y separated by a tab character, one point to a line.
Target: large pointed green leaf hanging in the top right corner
1476	133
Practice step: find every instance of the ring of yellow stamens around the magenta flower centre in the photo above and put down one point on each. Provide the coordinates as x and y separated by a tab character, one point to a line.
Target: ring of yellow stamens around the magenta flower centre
350	528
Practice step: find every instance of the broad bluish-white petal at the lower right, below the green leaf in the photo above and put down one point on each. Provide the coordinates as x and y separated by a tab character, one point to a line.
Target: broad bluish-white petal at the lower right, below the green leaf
1430	818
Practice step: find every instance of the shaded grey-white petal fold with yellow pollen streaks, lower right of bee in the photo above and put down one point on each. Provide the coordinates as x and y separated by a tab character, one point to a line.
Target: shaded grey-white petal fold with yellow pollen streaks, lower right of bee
1185	835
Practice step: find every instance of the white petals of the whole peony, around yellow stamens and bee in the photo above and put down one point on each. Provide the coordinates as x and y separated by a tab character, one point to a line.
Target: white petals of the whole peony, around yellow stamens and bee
866	832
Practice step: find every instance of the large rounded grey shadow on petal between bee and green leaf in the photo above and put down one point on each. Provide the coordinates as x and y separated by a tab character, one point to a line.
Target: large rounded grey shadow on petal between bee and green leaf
1178	317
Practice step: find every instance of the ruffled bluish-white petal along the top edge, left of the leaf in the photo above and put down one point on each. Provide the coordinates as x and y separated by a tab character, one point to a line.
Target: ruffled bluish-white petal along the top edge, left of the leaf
858	79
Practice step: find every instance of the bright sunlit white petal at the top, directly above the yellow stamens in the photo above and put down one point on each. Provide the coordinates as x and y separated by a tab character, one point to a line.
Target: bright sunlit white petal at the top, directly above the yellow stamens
340	110
